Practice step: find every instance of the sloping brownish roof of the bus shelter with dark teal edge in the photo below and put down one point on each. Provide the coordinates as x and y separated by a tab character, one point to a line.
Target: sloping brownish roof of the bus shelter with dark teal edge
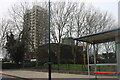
101	37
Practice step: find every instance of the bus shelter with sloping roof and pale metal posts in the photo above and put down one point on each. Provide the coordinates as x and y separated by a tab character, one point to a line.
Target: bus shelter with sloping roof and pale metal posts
102	37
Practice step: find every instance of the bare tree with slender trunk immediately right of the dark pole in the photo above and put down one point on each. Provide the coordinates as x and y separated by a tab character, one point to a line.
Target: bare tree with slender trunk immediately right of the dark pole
62	13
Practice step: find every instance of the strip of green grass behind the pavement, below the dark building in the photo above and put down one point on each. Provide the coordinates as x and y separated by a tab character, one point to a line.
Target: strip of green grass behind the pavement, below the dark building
78	67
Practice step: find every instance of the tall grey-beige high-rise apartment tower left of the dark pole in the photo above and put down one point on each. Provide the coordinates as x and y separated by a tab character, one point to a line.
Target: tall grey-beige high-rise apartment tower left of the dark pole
35	28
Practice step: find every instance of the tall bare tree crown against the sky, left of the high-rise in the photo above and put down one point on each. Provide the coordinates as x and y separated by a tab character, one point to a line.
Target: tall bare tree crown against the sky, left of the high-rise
16	13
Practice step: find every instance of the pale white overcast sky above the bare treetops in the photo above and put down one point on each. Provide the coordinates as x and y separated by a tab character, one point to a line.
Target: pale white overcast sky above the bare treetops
111	6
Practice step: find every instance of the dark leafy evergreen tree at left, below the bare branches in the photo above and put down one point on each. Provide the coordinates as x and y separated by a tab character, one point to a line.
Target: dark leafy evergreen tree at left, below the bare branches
15	48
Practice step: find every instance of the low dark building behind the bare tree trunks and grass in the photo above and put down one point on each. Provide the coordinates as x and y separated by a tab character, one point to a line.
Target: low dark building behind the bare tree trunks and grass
66	55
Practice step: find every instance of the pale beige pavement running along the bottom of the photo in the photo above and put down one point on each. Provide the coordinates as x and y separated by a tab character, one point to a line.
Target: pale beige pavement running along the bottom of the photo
35	75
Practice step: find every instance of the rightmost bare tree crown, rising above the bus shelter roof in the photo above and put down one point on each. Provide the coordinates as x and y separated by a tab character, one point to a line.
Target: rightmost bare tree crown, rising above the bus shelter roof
97	22
